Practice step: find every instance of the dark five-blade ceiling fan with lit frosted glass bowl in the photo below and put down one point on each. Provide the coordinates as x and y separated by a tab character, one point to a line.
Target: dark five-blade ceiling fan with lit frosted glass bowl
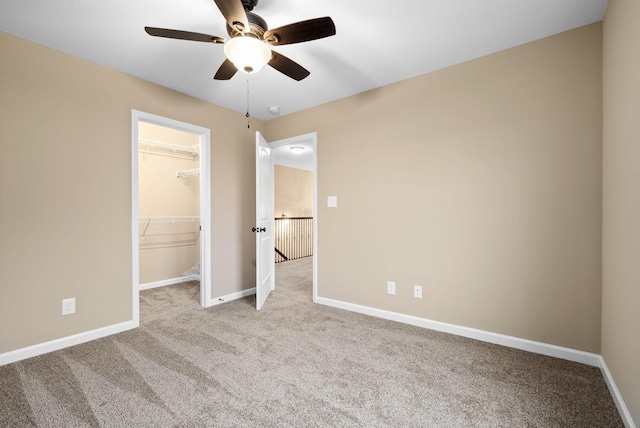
249	46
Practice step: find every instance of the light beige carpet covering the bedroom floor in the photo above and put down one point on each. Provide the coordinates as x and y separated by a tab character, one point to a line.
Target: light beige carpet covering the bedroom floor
294	364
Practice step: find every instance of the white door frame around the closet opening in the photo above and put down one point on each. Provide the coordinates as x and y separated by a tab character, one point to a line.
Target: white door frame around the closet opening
205	206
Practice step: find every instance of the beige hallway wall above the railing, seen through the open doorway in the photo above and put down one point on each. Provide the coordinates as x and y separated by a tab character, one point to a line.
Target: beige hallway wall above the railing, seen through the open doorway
293	192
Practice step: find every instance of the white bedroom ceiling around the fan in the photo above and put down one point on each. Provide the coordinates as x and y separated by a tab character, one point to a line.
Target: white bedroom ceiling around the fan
378	42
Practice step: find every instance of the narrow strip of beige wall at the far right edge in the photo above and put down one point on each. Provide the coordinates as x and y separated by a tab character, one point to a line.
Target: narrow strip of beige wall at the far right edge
621	201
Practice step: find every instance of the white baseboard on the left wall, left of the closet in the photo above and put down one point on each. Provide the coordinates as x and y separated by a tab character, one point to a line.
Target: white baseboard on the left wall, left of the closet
65	342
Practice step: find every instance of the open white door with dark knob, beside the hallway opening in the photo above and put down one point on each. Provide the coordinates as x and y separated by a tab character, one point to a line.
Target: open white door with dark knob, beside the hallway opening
265	257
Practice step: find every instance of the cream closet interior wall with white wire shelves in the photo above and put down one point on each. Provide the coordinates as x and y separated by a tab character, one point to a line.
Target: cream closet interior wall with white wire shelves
168	202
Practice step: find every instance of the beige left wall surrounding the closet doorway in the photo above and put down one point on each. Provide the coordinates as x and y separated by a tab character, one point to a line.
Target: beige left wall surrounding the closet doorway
65	191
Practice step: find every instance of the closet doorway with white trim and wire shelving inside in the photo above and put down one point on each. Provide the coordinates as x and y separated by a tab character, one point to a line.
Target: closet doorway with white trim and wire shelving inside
171	239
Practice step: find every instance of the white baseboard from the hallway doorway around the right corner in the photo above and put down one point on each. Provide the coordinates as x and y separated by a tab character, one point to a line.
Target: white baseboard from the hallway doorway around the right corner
575	355
